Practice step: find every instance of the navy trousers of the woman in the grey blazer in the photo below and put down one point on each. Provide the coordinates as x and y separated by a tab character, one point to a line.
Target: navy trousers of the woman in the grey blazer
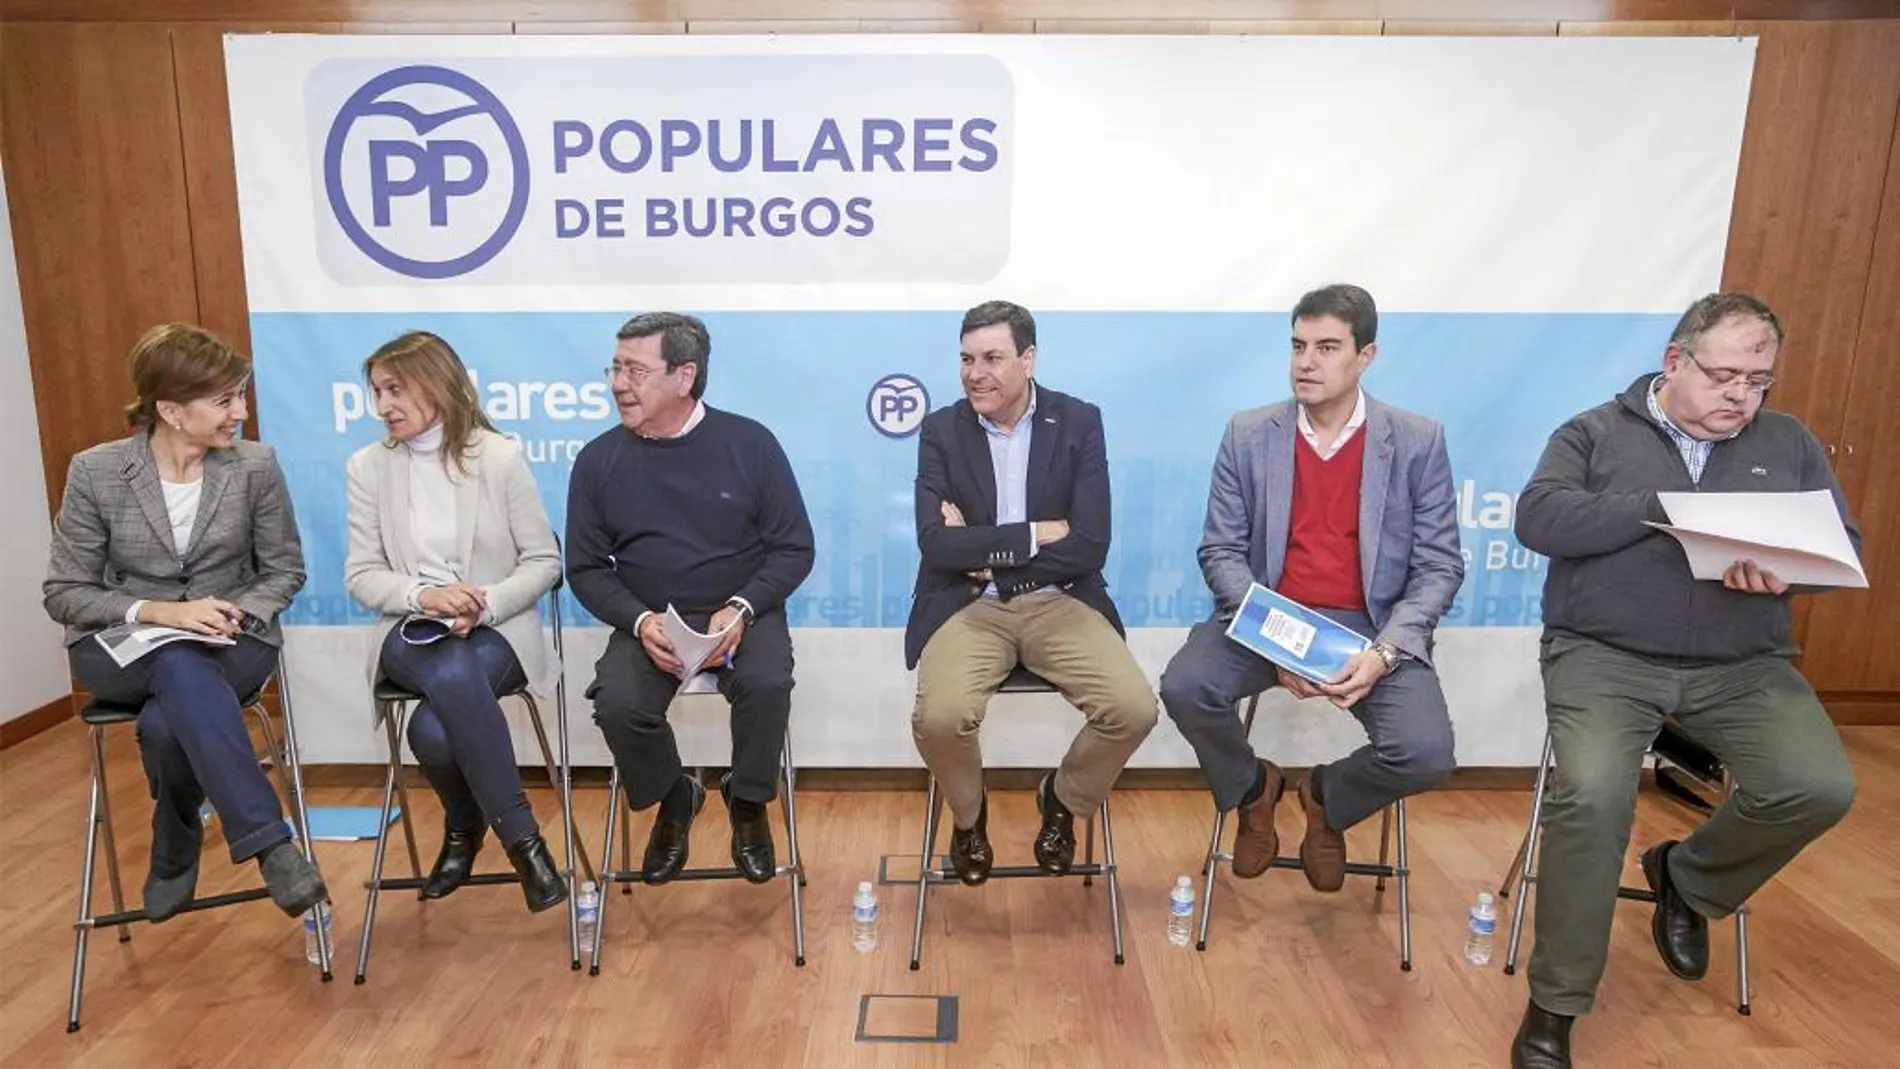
193	741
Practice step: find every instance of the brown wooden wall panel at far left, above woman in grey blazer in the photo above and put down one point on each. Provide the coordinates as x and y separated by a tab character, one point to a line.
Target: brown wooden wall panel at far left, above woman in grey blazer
102	229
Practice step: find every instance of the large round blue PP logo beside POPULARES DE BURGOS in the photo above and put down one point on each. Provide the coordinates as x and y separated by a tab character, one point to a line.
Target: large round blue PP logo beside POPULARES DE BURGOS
427	172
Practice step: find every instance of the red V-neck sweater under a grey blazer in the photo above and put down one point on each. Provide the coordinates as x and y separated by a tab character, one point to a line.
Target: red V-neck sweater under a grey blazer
1323	538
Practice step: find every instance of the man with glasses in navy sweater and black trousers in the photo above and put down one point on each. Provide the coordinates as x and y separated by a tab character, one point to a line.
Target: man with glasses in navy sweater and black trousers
698	510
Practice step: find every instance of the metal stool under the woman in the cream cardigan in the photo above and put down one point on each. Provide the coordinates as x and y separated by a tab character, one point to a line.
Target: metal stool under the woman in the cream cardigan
392	709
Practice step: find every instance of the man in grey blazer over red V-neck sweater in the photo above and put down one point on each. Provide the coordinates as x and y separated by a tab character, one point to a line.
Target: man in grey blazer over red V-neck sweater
1344	506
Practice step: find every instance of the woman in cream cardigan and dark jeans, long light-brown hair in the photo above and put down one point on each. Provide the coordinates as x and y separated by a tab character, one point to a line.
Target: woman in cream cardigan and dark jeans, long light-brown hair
451	544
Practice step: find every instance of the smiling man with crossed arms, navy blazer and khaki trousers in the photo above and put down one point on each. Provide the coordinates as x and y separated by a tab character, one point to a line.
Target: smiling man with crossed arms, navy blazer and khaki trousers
1014	525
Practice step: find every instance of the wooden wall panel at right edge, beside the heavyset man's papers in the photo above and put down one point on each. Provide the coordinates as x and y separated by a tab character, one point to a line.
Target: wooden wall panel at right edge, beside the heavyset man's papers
1853	637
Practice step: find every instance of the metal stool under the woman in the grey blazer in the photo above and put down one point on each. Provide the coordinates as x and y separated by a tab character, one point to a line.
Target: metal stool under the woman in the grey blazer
284	759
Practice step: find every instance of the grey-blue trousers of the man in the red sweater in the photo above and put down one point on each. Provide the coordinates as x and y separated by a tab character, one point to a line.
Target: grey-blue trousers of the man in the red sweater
1405	717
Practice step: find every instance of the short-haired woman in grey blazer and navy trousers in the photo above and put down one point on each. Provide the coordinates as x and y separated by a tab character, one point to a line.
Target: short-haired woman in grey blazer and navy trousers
187	525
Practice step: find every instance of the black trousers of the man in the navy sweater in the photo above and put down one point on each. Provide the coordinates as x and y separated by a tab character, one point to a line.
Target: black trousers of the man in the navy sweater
632	698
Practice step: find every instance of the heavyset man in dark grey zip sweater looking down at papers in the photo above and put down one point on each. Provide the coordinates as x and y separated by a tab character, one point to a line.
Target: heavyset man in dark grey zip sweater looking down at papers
1631	637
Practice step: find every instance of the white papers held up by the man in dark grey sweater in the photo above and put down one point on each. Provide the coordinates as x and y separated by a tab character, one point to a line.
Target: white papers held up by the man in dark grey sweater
1795	536
